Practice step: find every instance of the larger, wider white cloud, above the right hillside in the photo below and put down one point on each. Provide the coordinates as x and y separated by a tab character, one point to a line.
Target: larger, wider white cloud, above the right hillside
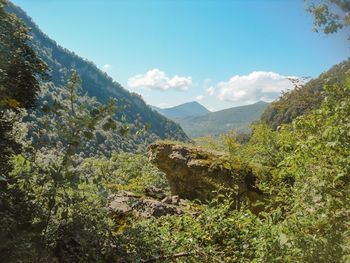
258	85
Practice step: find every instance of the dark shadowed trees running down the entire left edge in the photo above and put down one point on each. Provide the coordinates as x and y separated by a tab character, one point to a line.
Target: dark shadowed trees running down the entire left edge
20	73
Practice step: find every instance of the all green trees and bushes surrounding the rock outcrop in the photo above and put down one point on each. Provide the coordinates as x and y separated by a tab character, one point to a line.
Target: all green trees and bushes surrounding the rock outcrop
59	167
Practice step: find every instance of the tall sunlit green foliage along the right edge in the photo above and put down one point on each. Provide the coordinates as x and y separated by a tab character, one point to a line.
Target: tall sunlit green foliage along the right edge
319	218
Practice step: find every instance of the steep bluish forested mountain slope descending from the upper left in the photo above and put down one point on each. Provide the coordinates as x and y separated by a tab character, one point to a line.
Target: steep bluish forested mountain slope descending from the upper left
132	108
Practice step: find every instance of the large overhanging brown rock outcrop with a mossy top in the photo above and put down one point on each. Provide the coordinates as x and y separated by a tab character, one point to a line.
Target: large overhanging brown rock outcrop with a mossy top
195	173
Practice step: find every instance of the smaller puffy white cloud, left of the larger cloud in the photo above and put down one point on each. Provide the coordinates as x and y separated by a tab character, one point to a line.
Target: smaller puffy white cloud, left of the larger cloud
158	80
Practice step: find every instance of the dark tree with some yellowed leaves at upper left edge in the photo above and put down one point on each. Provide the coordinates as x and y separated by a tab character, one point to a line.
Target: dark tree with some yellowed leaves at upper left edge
20	72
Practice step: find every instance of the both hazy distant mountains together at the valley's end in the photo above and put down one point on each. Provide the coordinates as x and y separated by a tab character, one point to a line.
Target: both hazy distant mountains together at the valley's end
197	121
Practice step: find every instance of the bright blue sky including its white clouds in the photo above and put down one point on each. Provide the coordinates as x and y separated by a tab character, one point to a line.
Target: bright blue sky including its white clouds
219	53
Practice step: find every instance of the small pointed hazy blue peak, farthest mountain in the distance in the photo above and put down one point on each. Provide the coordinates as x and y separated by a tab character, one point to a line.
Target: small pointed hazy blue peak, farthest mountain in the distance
189	109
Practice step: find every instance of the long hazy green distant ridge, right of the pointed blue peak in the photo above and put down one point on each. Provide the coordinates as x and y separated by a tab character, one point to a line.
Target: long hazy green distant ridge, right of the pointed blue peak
216	123
